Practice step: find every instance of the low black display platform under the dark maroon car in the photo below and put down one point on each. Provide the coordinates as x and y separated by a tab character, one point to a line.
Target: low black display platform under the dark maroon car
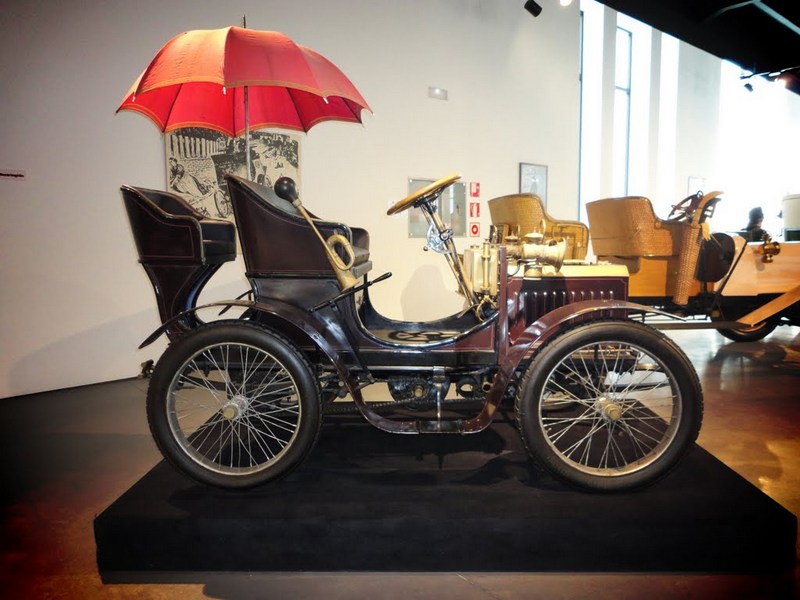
371	501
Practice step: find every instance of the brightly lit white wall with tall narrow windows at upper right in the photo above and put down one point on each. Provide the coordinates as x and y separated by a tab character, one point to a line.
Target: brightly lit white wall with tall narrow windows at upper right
698	123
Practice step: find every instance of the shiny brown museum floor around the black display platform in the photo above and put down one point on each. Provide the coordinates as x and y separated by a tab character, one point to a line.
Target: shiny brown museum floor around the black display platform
68	455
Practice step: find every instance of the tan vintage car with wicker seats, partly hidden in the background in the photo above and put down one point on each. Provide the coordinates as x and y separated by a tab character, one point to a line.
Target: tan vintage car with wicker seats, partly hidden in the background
743	289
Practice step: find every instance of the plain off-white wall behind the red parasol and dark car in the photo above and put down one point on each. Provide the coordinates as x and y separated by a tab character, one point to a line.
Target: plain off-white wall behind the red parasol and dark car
75	303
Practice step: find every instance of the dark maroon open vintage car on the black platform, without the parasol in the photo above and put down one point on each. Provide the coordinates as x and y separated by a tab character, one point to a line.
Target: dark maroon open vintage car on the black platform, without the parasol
601	399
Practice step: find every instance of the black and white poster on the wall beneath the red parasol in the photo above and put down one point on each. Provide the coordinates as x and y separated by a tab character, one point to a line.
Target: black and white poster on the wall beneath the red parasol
198	159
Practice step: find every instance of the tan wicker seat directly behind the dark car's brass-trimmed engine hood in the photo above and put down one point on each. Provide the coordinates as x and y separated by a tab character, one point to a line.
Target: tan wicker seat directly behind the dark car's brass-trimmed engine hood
524	213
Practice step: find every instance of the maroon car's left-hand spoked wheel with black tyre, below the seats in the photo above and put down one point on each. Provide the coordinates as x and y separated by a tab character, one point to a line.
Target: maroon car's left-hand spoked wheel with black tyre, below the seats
234	405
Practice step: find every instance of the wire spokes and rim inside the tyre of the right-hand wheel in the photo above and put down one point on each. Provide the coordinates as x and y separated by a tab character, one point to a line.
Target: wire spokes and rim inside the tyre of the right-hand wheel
608	408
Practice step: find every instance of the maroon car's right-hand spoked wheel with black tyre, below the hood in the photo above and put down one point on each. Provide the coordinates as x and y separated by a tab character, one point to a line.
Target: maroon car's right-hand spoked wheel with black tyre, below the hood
609	406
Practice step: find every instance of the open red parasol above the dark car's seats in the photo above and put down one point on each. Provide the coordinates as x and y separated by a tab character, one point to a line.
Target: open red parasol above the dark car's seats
234	80
